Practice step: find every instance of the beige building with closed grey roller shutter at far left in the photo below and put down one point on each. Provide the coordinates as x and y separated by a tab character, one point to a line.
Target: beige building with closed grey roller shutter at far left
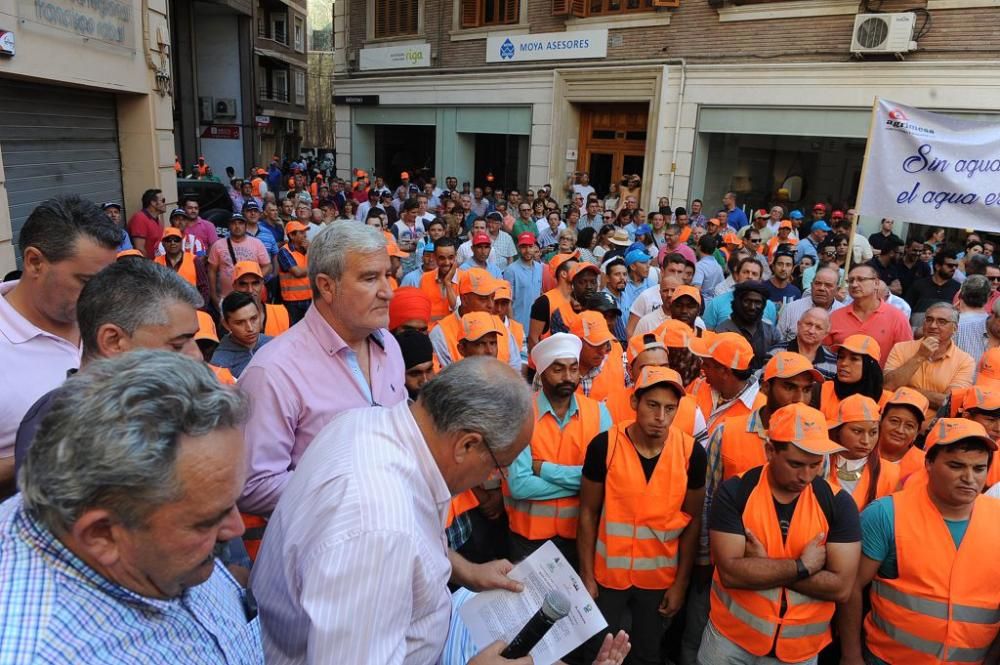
85	106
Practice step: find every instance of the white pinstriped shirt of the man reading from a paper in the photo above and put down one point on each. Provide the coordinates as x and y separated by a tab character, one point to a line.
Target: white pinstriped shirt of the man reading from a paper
354	565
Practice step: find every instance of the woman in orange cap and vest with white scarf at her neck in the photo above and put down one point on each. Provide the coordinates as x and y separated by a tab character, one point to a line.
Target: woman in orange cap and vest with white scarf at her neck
859	469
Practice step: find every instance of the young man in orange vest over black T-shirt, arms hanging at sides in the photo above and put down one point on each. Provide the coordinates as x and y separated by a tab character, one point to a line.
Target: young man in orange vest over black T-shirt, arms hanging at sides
641	498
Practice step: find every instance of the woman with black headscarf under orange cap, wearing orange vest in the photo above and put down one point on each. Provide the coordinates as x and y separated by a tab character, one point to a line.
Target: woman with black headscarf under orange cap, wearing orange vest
858	373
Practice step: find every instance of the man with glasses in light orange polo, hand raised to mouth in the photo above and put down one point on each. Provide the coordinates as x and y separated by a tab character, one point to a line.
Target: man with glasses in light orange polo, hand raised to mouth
932	365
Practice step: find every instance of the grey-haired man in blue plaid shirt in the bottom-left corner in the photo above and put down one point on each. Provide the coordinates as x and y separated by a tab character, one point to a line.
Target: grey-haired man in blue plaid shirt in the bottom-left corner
128	493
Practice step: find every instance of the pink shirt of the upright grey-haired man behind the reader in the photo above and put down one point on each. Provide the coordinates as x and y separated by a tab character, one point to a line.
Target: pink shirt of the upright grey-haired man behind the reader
297	383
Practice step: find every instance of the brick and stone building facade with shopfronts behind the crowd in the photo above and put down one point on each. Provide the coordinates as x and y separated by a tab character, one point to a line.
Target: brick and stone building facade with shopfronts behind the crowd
696	97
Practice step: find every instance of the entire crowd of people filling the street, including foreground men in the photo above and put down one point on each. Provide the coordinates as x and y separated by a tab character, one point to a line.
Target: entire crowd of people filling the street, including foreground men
313	435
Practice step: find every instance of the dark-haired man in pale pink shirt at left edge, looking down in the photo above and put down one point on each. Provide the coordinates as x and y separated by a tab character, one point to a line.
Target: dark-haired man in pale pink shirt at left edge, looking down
64	242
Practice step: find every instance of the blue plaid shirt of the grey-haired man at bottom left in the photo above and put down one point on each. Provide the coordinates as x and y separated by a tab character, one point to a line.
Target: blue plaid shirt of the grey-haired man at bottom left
54	608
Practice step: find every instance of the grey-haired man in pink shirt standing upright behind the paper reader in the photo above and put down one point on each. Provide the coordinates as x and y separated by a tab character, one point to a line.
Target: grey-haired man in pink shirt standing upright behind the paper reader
339	357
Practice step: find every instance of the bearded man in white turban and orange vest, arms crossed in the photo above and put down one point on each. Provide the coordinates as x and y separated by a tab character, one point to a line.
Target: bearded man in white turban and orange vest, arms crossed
542	487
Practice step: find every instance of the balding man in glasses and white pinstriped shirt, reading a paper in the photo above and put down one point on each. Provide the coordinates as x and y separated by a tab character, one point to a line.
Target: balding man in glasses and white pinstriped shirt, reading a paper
354	567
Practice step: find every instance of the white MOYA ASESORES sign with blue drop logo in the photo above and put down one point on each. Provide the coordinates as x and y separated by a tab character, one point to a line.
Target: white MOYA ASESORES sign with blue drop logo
574	45
